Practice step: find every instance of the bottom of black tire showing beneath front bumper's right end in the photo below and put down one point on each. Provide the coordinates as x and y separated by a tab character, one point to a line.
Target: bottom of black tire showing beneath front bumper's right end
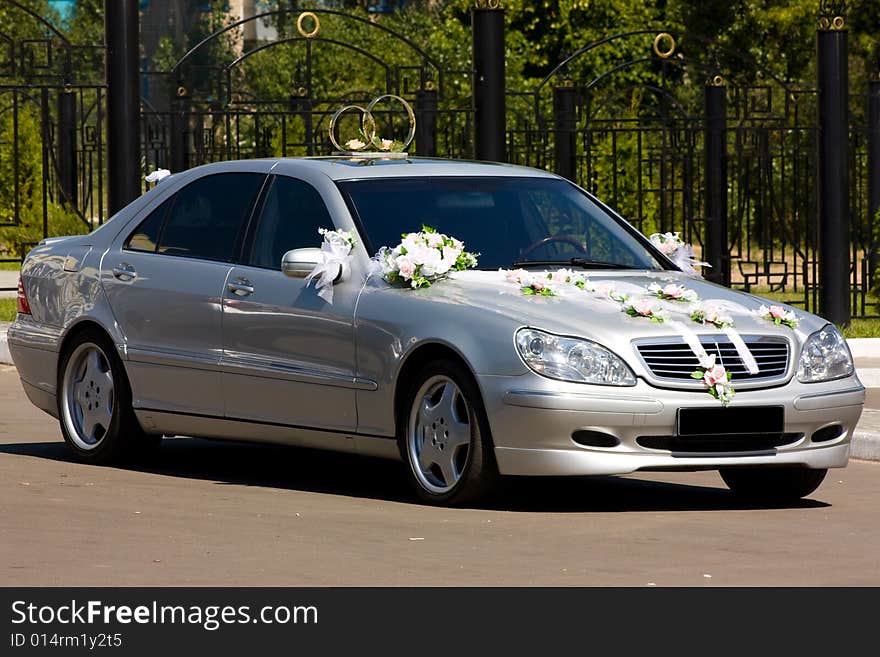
773	485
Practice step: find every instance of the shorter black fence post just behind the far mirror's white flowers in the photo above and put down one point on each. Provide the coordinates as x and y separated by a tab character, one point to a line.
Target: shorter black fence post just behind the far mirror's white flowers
715	181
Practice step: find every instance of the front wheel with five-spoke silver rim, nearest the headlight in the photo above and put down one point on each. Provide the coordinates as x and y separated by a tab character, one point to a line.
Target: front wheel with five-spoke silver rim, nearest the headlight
444	438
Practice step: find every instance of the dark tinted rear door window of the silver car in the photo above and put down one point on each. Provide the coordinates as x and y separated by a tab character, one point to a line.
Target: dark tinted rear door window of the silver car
208	216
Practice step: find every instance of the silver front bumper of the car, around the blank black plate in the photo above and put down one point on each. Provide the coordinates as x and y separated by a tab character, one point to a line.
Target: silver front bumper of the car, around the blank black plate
533	418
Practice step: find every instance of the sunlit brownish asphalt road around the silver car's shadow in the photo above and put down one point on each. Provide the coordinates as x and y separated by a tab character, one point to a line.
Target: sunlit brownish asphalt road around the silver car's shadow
210	513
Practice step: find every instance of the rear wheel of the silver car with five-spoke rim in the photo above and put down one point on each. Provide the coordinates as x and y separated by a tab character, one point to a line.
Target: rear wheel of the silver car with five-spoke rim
94	403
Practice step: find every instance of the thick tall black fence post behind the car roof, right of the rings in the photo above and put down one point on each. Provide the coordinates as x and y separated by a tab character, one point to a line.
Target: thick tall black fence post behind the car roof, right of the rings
489	102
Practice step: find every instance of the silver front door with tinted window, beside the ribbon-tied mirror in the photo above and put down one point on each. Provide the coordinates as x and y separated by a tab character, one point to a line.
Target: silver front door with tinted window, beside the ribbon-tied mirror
288	356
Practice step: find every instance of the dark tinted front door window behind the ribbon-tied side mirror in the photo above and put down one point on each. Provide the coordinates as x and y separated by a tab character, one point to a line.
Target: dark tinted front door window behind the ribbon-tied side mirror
292	215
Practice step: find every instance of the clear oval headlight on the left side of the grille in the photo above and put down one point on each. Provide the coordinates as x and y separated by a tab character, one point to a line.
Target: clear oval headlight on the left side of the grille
572	359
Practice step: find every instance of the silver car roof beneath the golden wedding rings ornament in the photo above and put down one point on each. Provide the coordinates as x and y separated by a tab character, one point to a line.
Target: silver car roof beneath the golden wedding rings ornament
356	168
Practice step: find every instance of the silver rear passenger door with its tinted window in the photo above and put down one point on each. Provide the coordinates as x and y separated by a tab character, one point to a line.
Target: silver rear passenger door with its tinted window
165	282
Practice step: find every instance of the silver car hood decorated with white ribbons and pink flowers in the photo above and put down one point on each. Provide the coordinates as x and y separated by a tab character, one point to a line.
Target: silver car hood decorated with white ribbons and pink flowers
579	313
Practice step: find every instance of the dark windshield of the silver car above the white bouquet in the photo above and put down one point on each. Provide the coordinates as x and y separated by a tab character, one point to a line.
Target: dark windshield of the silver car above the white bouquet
508	221
